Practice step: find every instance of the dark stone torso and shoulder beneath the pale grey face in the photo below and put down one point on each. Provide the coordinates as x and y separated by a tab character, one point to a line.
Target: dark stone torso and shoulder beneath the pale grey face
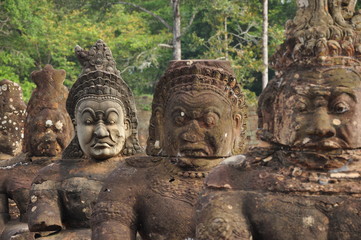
77	184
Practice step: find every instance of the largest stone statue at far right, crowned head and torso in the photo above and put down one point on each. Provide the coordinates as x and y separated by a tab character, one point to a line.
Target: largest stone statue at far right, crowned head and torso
306	183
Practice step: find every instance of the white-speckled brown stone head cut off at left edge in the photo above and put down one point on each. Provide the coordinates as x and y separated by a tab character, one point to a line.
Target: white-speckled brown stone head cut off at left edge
12	116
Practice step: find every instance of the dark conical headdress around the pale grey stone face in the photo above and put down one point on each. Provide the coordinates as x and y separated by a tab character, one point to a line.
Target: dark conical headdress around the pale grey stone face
100	79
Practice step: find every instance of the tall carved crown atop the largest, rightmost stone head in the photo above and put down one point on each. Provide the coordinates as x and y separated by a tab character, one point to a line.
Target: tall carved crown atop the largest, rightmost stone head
323	32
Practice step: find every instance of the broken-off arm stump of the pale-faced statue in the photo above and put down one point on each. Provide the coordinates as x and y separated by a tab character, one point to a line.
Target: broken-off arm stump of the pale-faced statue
44	209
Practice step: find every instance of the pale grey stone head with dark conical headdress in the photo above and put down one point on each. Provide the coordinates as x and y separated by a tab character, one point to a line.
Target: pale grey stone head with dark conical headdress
102	108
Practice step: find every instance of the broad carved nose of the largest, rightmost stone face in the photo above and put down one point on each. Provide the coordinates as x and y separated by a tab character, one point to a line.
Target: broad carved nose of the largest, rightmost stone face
320	125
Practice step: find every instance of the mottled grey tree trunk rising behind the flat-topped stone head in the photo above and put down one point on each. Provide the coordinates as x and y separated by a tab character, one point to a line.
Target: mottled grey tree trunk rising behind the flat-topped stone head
177	53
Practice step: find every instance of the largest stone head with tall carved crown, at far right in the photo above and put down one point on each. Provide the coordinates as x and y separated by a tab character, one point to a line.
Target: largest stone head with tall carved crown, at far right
313	103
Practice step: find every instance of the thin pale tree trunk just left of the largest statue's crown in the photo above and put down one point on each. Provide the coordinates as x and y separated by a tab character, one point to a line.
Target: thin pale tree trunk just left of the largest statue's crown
265	44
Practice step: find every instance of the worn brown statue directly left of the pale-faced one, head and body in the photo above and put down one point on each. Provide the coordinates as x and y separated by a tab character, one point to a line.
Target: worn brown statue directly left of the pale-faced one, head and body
48	130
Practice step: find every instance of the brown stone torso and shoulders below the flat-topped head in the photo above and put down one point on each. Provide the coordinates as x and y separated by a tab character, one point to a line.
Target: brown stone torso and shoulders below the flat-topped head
161	199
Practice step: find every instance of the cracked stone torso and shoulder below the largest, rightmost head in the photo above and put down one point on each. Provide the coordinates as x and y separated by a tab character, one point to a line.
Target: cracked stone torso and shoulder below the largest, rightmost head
268	202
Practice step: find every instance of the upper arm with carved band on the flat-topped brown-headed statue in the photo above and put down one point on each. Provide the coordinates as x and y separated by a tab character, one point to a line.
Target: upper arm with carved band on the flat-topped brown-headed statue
115	216
